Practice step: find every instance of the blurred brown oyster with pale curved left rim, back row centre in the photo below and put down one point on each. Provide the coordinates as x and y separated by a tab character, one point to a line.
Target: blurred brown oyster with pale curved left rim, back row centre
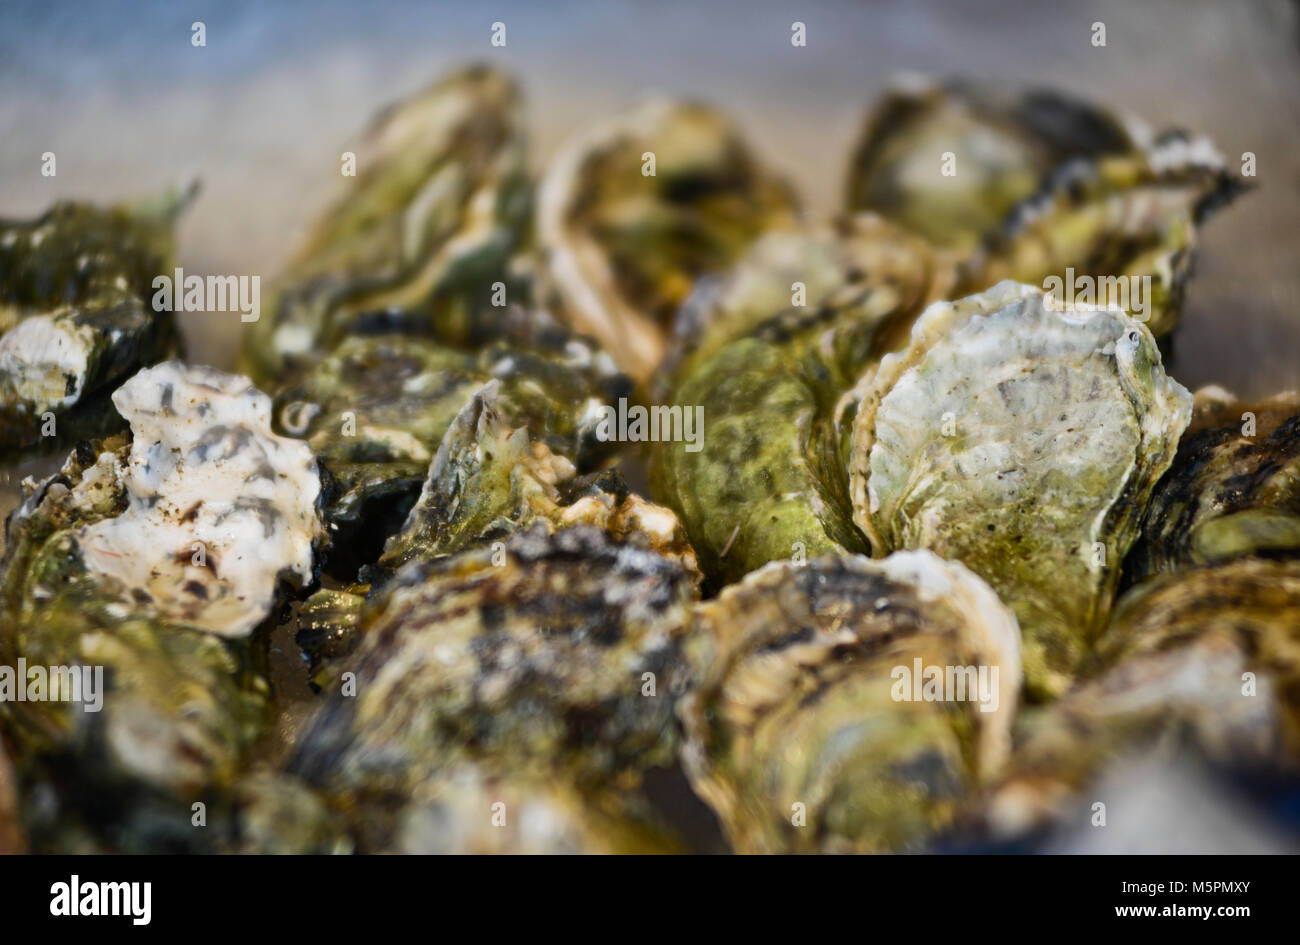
623	246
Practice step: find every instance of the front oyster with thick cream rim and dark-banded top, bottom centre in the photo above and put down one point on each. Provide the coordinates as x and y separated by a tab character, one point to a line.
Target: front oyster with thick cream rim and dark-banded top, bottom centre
799	734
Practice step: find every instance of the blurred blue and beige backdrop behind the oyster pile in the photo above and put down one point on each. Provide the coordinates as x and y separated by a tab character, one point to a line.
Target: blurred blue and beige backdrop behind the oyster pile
262	114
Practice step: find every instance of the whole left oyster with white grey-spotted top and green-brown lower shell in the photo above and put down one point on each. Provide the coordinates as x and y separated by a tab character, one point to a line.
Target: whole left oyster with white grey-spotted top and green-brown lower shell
150	561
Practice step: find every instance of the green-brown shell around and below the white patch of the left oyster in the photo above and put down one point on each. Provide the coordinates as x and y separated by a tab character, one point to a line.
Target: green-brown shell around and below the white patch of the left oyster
181	708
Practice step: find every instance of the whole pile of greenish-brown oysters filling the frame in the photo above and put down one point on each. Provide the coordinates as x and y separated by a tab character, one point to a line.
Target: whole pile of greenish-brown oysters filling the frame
946	550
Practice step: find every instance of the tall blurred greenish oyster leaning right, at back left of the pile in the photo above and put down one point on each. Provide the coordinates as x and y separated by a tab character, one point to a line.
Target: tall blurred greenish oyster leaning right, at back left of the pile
430	224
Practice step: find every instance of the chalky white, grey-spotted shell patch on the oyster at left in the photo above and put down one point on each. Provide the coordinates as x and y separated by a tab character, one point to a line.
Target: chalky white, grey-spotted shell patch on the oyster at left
219	506
